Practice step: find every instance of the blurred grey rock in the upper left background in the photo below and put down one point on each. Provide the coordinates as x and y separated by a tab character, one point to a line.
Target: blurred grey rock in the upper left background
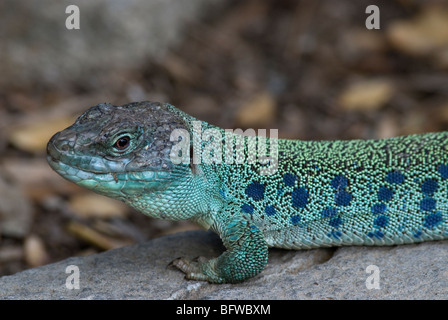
114	36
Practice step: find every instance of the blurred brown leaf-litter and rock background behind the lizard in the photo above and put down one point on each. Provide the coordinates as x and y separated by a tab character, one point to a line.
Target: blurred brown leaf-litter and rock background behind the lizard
308	68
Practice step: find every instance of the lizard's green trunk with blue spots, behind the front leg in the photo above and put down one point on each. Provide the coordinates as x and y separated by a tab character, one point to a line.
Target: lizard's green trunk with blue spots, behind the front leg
355	192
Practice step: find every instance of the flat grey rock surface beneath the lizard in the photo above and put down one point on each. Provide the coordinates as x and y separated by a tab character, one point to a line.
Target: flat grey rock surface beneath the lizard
143	271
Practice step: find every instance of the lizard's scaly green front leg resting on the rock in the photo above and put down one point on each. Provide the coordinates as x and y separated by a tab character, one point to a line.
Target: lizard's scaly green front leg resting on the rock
245	257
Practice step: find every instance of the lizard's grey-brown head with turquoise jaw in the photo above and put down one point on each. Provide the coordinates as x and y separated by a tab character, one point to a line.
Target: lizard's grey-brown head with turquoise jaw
120	151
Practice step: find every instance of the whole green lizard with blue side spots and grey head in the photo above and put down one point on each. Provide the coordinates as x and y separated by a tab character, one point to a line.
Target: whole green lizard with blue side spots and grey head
321	194
